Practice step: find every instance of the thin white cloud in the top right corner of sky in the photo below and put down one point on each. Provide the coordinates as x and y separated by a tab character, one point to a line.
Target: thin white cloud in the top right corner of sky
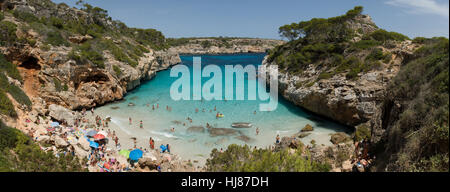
422	6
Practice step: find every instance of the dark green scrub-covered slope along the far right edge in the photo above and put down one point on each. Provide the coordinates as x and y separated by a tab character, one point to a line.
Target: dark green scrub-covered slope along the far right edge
419	138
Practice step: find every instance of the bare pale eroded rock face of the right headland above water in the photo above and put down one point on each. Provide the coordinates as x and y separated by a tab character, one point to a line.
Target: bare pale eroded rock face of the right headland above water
350	102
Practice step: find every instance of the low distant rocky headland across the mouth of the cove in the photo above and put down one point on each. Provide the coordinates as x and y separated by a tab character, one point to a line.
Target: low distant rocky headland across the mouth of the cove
195	46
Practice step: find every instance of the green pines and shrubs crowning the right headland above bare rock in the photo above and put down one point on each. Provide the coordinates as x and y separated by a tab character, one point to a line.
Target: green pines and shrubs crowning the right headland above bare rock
326	43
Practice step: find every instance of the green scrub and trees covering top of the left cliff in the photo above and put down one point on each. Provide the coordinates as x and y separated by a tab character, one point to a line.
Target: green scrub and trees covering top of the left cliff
131	43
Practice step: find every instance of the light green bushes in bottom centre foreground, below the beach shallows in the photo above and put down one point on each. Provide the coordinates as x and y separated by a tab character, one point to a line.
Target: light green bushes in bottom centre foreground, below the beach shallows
243	159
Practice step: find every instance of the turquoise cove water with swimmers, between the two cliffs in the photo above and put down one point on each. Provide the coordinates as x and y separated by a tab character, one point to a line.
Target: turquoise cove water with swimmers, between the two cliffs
285	120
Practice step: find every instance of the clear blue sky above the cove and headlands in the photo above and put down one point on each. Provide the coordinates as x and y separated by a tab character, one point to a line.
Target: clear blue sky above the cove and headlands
261	18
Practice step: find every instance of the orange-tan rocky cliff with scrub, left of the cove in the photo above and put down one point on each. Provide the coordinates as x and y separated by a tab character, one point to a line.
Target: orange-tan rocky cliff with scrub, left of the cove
56	73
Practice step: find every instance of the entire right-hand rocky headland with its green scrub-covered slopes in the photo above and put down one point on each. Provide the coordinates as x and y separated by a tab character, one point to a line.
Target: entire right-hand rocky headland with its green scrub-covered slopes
392	90
